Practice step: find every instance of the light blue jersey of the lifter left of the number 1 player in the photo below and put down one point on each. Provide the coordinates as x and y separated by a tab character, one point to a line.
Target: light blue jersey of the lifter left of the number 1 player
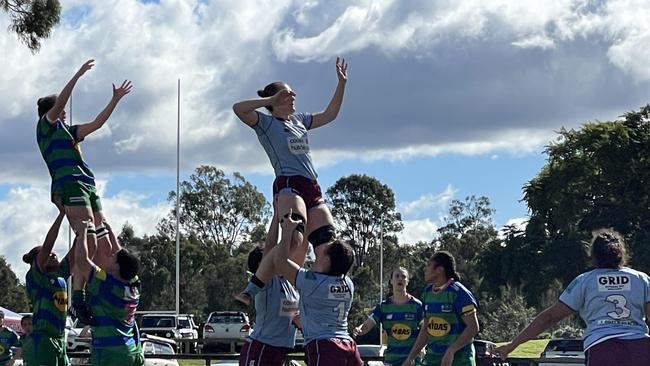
275	307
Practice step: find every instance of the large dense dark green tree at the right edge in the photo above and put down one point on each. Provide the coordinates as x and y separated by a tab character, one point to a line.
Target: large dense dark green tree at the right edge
596	176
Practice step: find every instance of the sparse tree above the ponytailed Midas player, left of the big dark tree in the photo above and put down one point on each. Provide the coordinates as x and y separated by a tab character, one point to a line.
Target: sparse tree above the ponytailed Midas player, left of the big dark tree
467	232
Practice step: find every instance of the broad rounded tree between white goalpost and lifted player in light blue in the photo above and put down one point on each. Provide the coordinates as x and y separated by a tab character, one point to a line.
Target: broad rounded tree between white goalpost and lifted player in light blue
218	210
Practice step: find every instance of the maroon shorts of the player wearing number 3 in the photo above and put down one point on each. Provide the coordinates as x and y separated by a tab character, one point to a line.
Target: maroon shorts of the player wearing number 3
619	352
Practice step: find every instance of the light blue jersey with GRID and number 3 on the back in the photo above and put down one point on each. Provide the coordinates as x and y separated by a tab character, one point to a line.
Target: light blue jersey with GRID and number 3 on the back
611	302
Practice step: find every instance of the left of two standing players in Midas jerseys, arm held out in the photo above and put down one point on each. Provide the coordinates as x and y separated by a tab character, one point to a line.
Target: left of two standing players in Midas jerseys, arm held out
400	315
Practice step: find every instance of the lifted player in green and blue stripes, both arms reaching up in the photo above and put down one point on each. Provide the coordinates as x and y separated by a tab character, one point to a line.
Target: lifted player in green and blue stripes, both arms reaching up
73	183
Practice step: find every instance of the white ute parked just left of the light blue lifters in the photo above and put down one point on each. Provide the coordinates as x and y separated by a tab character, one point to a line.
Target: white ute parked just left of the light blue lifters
226	327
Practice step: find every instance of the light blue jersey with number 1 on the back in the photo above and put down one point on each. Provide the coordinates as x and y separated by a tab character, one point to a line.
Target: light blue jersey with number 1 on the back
325	302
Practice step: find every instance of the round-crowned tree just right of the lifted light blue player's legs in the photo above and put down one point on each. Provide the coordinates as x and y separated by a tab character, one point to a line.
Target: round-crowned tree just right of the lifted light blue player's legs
362	206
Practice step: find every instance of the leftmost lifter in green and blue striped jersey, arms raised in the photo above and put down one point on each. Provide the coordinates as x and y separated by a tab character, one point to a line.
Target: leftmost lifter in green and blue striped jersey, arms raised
48	292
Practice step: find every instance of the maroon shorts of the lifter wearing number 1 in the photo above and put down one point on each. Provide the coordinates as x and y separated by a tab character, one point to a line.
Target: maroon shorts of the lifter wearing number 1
333	351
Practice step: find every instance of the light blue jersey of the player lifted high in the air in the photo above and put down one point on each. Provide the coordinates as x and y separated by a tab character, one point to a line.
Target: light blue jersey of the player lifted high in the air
286	143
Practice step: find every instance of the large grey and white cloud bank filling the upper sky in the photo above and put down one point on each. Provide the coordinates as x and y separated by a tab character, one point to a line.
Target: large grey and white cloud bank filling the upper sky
224	50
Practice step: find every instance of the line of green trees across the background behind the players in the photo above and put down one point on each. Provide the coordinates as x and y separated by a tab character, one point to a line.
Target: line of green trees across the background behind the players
595	176
